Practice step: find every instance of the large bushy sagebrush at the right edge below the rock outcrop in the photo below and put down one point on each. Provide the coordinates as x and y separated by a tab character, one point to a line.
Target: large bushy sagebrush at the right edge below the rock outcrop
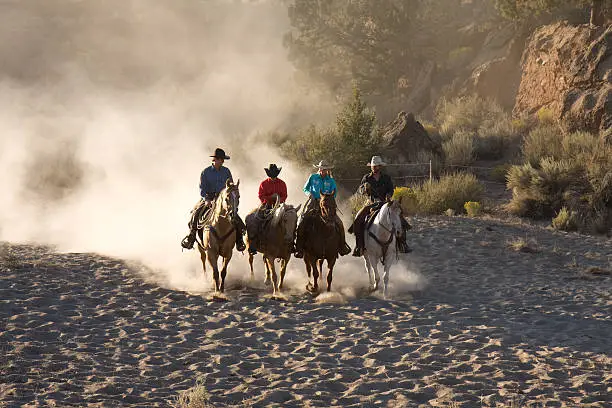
568	177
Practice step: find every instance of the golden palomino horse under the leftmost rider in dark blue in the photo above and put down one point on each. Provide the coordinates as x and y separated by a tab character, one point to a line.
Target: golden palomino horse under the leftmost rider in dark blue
219	234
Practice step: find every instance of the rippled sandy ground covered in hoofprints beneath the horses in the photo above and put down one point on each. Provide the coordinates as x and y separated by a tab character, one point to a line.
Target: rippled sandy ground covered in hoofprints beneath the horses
472	322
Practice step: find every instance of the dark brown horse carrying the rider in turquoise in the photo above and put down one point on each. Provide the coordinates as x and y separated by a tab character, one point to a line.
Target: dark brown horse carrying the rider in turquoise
322	241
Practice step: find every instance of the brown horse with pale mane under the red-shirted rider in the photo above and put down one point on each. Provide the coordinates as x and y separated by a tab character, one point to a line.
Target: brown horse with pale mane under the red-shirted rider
276	241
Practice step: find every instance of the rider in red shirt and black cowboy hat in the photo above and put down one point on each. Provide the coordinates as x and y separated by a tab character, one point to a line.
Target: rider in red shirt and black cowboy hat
270	190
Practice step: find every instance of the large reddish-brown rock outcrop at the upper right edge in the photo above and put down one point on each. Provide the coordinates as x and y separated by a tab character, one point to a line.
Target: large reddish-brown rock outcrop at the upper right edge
568	70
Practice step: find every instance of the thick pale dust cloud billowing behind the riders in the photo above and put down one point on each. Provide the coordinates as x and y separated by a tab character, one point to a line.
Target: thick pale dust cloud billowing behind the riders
109	112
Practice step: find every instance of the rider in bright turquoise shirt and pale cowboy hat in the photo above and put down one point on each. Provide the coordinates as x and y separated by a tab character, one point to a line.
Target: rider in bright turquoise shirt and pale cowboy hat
319	182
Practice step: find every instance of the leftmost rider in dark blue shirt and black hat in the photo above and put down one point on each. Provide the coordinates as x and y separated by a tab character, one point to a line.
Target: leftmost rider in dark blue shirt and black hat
212	181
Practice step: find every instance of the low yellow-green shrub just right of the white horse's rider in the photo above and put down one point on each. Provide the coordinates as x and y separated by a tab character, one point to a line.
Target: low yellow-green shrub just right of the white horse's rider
451	191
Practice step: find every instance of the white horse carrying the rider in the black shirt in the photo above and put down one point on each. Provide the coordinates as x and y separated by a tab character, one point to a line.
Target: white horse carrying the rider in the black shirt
381	243
